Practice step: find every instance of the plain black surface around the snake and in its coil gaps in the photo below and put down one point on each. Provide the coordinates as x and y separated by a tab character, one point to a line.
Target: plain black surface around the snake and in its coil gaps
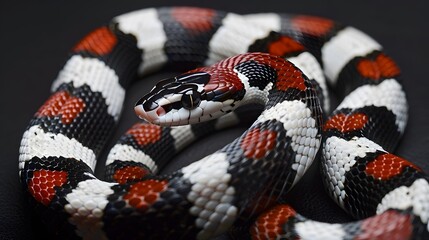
36	37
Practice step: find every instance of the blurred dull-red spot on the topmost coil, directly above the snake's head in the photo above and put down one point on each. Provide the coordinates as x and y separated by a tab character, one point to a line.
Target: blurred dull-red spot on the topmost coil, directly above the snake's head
195	19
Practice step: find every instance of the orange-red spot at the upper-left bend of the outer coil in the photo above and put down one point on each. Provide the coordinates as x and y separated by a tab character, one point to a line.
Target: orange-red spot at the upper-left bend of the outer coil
100	42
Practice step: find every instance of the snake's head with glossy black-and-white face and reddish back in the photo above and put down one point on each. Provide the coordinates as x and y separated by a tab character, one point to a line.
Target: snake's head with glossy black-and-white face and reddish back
188	98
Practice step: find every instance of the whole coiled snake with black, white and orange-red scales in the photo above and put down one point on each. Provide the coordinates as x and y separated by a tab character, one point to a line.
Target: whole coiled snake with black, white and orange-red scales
278	65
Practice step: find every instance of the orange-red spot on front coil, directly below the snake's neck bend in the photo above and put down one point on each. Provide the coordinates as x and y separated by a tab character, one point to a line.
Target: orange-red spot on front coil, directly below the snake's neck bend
257	143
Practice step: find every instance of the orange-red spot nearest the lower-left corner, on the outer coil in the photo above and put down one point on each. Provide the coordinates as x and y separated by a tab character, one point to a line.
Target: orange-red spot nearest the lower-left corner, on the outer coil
42	185
